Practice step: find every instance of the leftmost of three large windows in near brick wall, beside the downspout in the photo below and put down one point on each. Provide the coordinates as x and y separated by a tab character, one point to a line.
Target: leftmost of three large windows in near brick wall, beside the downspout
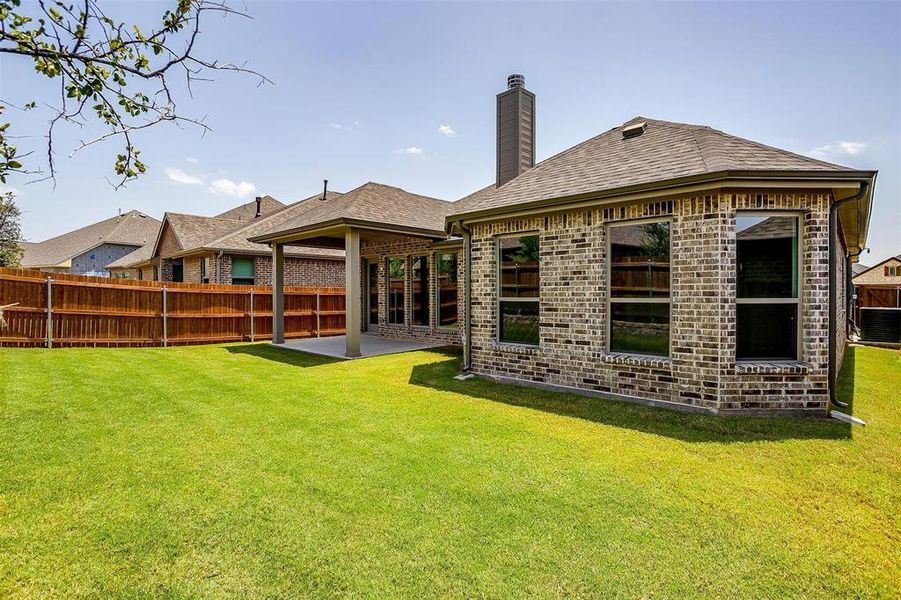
518	287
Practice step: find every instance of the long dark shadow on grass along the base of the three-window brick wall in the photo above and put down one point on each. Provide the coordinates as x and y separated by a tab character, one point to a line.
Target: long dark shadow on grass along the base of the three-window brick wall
687	427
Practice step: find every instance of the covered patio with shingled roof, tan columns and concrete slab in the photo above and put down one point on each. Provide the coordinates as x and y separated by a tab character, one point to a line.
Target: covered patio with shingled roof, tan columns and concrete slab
390	222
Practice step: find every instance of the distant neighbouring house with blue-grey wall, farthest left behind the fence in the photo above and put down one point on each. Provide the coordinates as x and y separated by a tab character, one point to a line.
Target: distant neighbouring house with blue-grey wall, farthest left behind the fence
91	249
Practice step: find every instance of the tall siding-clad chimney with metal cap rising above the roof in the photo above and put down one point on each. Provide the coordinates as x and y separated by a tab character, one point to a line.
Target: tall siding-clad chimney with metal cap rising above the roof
515	130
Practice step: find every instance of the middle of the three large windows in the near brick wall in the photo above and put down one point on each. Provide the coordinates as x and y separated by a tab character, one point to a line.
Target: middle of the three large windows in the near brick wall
639	298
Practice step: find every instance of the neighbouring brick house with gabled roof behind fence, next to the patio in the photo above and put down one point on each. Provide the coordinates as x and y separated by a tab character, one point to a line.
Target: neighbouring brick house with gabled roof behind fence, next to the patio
197	249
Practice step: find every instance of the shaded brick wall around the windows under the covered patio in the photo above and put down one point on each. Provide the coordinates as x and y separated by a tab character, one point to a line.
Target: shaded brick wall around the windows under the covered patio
407	247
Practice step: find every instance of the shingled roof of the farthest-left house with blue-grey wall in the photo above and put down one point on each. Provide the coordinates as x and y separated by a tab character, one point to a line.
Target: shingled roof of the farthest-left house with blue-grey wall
130	229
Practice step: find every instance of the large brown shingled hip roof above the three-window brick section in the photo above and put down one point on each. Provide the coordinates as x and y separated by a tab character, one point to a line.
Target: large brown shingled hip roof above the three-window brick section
663	152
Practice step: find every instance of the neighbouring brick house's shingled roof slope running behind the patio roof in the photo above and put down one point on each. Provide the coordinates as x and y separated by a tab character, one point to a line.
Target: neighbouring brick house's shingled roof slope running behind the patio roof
237	241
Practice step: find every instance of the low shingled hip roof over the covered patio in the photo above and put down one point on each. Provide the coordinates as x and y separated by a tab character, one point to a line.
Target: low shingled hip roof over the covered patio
371	205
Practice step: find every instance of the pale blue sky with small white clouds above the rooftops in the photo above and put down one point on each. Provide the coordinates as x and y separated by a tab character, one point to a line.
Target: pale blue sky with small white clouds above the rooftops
361	92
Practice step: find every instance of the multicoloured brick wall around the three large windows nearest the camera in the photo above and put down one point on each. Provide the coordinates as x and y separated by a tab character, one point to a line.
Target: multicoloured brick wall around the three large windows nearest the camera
701	370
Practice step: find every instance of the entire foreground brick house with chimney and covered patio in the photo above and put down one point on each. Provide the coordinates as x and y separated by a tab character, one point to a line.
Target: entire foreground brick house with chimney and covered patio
657	262
